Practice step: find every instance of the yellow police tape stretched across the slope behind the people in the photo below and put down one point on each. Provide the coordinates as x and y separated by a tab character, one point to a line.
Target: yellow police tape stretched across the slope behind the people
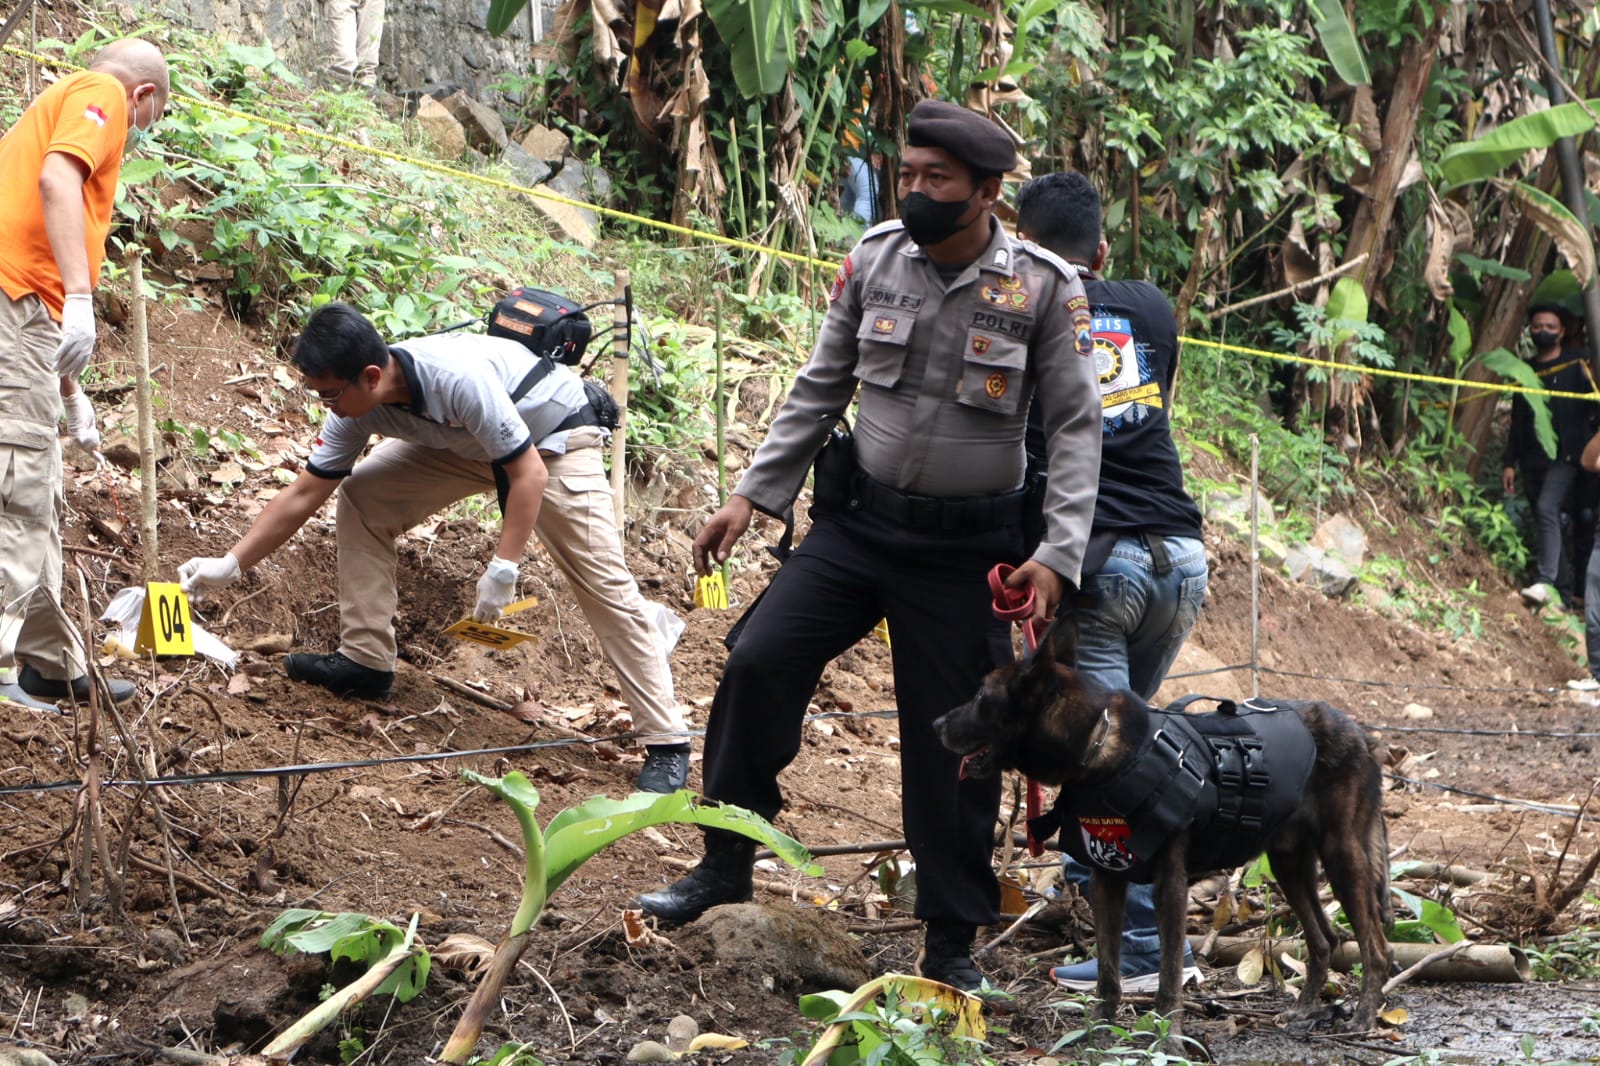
734	242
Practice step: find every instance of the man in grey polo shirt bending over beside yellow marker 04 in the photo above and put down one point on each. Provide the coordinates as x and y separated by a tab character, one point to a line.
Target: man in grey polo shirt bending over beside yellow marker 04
460	415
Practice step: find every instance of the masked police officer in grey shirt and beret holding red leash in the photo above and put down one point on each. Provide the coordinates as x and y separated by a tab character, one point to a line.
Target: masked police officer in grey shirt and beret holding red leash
946	327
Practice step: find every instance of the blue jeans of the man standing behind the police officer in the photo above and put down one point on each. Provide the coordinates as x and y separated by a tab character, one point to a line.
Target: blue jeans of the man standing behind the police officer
1129	641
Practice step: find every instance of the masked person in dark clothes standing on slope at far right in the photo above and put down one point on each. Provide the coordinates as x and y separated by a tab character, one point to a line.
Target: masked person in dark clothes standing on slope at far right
1548	481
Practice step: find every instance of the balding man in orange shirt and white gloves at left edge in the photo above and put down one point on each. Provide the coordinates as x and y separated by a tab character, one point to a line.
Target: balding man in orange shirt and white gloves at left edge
60	167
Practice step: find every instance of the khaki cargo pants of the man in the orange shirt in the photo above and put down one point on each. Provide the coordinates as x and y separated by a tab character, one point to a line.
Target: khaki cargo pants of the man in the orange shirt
31	627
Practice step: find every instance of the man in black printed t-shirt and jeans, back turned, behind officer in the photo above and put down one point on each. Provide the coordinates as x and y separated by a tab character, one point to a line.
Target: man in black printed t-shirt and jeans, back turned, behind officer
1145	574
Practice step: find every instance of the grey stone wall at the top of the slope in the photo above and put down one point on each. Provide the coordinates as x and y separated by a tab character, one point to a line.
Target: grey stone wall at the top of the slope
426	42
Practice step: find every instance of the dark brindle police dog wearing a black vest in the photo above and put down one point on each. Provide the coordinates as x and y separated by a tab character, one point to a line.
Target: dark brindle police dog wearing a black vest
1324	803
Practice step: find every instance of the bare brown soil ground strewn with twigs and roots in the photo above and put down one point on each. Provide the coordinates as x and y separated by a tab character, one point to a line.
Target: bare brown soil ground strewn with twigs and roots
204	868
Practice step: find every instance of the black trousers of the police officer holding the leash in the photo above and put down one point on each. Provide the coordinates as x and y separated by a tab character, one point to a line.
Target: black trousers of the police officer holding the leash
850	572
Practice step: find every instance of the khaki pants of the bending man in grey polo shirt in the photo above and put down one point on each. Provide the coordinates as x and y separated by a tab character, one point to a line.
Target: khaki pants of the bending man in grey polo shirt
401	484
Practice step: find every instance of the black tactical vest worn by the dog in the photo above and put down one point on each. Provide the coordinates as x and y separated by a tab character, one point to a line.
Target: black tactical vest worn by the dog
1231	777
